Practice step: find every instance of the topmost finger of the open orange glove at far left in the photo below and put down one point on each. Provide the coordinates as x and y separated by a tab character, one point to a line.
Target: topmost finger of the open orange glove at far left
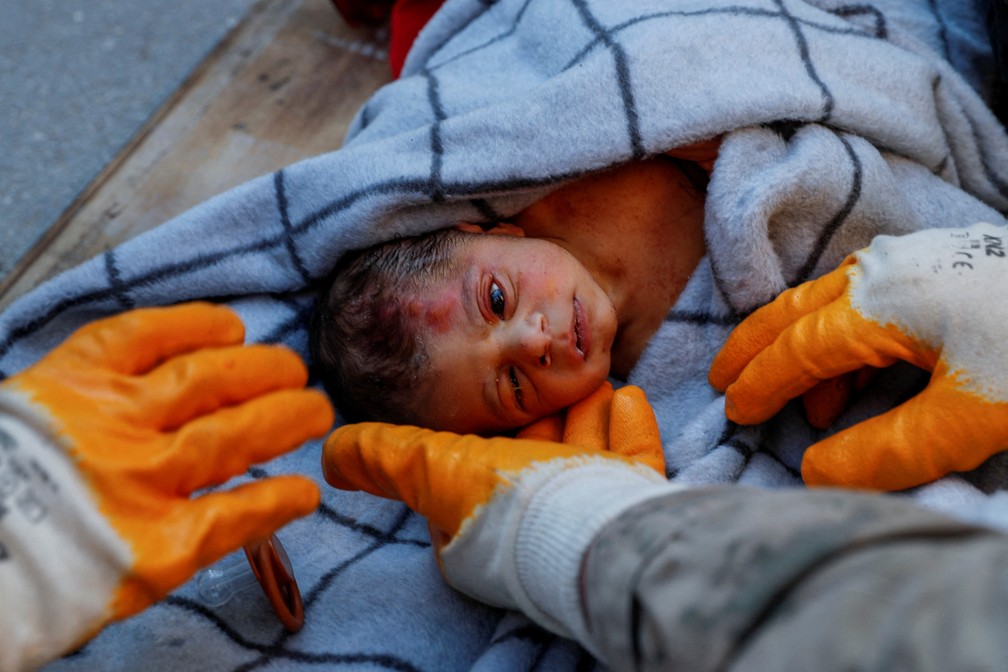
135	342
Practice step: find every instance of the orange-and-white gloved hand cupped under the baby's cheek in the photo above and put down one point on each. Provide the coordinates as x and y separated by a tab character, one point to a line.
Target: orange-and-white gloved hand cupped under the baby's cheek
475	491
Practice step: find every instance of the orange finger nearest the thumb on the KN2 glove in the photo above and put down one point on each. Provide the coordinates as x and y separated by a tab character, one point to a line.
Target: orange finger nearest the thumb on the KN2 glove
833	341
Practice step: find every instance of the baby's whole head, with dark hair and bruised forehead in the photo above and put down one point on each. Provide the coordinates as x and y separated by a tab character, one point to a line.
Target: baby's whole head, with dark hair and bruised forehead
462	332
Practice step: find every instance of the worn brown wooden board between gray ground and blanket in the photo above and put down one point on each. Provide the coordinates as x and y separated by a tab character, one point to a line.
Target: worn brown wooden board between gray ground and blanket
282	87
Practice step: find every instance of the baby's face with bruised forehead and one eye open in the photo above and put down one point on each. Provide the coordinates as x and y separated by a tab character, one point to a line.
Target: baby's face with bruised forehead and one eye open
523	332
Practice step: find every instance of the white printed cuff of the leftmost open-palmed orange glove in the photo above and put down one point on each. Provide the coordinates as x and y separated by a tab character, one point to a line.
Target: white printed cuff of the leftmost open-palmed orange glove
60	561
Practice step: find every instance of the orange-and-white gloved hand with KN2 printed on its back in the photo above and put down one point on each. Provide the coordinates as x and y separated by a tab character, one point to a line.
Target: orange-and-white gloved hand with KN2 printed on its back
936	300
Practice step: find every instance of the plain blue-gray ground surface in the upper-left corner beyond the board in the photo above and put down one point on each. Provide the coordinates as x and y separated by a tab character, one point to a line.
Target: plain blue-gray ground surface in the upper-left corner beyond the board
77	81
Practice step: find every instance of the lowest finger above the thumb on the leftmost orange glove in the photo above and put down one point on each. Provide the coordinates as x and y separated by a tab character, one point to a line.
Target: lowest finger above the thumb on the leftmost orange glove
215	448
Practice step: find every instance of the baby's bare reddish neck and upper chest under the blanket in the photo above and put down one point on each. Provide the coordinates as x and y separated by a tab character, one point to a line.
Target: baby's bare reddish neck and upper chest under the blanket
640	231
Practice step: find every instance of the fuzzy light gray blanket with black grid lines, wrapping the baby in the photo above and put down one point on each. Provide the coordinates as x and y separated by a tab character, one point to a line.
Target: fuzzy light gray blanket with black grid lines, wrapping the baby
840	121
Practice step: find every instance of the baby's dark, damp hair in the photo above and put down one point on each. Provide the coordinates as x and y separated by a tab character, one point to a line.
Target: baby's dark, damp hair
368	352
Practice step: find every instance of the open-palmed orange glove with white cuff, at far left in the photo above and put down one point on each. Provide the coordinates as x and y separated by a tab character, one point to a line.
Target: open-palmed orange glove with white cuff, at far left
103	443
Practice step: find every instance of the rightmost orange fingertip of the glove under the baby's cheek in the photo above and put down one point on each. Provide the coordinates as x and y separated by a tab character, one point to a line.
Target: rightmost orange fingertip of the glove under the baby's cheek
634	430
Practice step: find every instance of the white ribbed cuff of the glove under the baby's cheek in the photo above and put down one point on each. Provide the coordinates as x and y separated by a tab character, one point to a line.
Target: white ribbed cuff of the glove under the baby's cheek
526	550
